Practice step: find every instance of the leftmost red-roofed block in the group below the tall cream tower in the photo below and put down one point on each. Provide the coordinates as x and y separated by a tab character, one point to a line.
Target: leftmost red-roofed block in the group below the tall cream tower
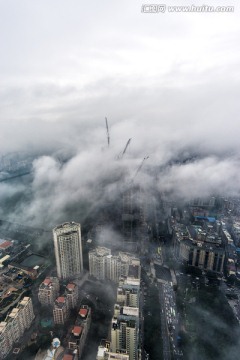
48	291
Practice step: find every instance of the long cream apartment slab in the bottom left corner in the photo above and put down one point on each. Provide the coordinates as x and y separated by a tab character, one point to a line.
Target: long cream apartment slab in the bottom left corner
15	324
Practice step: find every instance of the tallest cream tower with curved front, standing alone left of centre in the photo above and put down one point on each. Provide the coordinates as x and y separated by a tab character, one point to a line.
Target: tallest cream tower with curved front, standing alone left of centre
68	249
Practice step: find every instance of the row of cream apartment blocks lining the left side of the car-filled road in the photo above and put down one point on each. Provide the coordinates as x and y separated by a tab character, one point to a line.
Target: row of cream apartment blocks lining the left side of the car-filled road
124	337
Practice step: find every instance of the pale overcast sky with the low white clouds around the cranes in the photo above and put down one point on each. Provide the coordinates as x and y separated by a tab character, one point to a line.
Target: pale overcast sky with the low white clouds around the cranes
170	81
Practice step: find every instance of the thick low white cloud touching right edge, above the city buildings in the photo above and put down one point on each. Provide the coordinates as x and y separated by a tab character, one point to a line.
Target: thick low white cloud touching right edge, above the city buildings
201	178
